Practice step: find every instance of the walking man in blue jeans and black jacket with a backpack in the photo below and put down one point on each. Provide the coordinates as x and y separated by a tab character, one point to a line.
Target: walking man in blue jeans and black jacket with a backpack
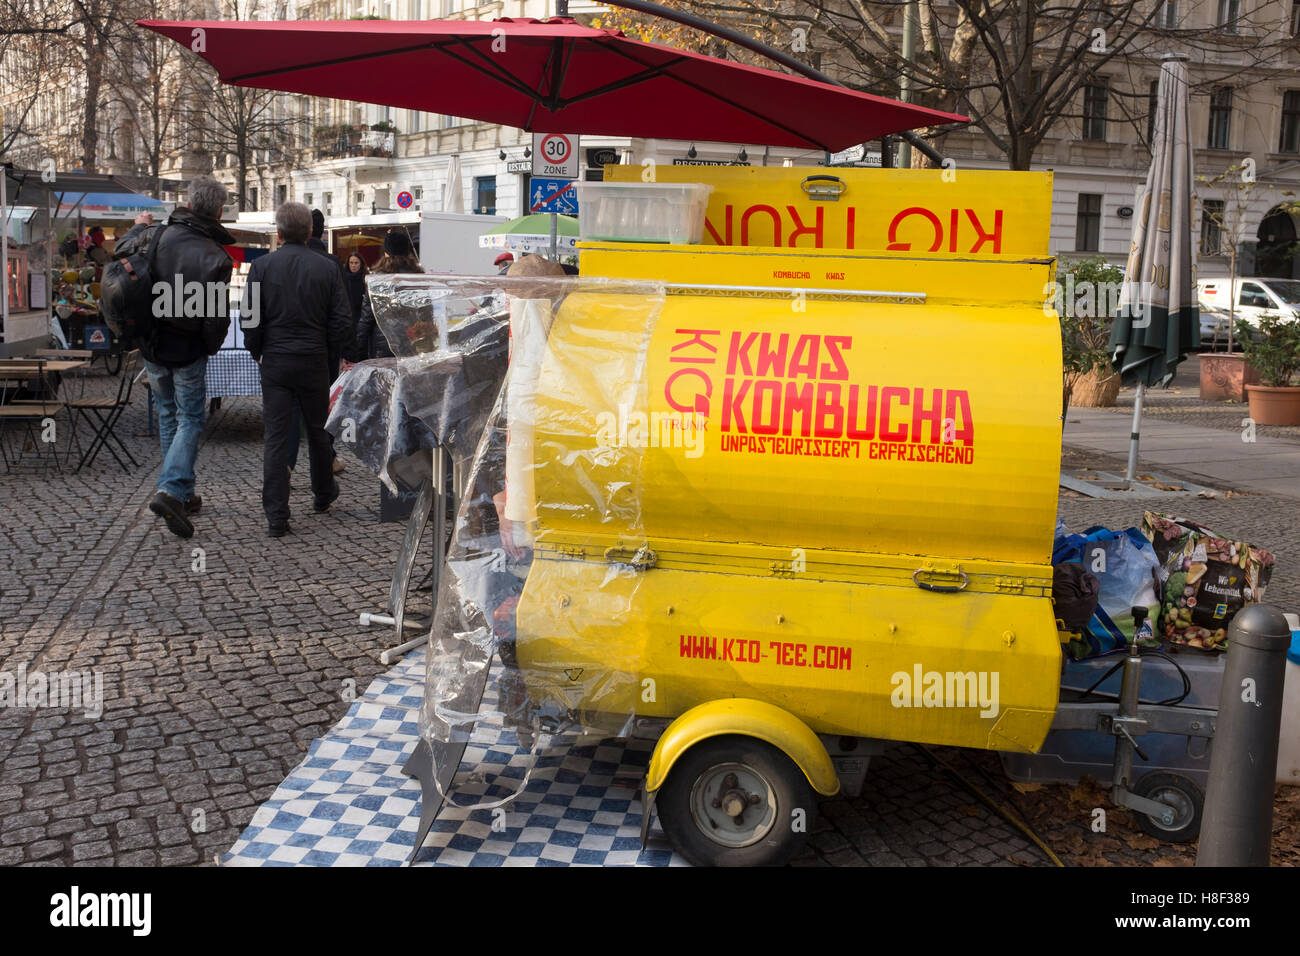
189	258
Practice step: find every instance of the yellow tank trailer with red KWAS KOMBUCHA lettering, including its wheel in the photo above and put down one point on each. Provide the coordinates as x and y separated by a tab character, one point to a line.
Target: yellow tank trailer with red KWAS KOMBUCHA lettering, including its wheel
813	499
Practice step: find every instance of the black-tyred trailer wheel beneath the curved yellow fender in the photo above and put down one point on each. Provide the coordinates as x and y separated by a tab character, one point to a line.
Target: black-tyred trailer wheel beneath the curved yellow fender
736	802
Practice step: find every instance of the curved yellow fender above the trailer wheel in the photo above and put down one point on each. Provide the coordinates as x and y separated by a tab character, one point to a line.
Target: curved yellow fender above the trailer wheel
751	719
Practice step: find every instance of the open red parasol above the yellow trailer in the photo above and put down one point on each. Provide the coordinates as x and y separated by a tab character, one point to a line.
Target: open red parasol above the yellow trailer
551	76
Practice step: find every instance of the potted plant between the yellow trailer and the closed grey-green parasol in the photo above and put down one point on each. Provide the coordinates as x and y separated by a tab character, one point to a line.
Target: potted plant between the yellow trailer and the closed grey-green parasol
1086	299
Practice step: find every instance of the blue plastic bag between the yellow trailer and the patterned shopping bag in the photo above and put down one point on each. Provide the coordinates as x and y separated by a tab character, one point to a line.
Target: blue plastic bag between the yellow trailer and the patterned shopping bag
1129	572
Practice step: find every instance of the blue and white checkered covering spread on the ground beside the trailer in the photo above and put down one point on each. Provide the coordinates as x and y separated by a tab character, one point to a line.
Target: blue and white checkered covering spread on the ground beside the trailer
349	803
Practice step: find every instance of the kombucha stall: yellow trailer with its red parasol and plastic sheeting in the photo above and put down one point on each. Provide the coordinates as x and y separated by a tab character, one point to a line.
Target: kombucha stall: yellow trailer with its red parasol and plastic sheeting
744	488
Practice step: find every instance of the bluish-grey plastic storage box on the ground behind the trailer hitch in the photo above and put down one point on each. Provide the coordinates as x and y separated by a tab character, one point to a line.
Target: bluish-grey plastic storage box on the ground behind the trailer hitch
1069	755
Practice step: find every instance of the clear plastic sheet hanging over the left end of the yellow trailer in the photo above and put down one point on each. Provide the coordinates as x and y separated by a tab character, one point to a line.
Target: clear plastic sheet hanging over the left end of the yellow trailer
544	468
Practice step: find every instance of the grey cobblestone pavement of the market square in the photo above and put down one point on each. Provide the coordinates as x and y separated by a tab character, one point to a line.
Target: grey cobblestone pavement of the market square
216	681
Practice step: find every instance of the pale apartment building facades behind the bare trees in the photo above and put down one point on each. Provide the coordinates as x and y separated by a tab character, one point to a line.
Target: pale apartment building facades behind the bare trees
354	159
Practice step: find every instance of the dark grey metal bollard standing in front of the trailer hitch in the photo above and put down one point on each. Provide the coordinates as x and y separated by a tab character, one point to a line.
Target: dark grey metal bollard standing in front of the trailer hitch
1237	829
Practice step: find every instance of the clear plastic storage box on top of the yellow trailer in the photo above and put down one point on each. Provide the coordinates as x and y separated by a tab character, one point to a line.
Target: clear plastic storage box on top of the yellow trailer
643	211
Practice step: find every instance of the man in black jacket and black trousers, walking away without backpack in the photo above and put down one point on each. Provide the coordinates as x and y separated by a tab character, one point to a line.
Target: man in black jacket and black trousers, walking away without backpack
301	317
